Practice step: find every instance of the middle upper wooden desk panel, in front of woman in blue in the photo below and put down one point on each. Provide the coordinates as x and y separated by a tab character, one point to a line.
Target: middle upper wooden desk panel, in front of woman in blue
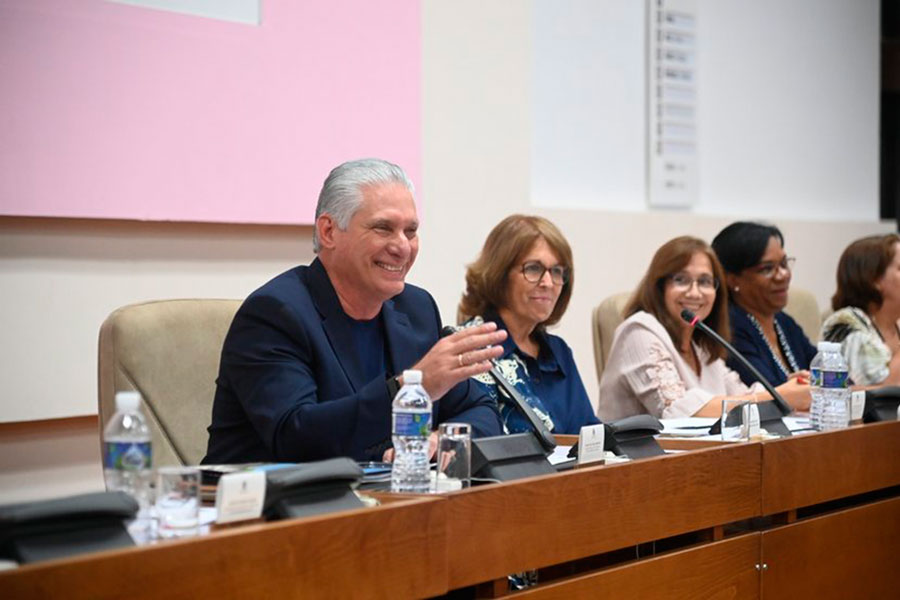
506	528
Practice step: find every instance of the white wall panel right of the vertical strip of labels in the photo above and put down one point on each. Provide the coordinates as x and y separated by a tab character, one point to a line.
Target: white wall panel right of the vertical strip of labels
789	101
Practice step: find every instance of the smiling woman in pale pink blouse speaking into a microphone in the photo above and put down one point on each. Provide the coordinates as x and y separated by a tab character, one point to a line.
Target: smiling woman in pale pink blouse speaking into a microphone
658	363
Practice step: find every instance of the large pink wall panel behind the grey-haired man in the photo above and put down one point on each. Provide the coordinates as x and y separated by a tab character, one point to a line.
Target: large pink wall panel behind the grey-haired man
113	111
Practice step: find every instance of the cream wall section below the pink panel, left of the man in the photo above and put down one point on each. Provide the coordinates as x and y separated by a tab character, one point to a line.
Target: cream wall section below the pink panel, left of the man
61	278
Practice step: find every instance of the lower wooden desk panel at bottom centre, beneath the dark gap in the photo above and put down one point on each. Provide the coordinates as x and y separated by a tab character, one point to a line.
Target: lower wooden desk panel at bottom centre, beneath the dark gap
724	569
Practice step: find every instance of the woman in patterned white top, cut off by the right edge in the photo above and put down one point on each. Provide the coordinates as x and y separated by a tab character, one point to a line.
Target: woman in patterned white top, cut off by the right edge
867	310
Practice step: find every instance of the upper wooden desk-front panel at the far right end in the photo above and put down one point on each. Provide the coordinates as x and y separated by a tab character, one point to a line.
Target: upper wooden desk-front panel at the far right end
810	469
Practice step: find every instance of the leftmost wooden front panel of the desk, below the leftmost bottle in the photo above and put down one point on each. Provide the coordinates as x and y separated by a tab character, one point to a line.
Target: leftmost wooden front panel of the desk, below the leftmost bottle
357	554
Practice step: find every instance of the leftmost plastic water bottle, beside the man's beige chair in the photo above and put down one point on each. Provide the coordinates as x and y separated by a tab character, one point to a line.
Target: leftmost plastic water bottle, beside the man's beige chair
128	450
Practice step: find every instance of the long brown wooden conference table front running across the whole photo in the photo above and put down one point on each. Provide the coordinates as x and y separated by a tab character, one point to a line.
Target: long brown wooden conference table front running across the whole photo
813	516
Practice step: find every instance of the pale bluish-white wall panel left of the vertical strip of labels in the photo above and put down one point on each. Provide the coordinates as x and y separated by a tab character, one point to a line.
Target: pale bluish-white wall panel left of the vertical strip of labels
588	114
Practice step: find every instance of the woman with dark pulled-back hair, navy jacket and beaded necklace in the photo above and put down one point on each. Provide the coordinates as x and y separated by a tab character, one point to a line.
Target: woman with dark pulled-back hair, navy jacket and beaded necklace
758	277
